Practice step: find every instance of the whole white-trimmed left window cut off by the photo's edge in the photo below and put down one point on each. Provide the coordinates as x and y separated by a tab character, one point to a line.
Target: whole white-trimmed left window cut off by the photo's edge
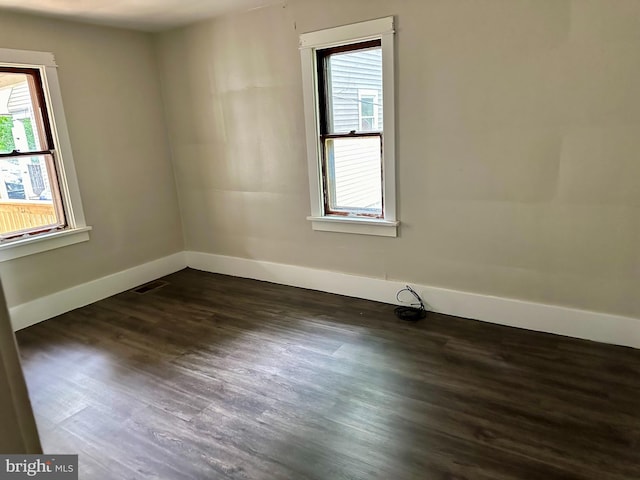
40	206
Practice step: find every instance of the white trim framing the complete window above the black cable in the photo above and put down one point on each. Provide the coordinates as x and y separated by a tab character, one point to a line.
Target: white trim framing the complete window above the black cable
382	29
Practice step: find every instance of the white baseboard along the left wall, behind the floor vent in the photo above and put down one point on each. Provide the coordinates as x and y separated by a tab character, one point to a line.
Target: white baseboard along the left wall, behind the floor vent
30	313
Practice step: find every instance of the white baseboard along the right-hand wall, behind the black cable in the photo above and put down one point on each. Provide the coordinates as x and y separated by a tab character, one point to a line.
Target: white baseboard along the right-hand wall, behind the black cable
600	327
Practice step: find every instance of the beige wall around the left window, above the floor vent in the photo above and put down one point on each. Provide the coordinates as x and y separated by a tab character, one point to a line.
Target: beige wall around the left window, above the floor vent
114	113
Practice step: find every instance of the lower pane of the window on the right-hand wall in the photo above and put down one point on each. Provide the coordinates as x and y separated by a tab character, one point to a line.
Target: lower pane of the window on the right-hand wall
354	175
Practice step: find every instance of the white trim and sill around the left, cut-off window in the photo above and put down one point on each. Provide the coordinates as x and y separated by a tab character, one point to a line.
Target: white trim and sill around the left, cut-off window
77	230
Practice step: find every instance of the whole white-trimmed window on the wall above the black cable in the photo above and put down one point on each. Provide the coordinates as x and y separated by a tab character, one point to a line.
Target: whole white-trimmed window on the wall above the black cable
348	87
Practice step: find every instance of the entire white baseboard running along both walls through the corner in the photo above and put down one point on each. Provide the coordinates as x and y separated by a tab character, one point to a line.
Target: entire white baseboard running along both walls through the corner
600	327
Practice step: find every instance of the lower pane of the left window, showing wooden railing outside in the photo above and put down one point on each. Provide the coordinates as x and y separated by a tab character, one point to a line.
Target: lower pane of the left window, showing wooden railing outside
27	194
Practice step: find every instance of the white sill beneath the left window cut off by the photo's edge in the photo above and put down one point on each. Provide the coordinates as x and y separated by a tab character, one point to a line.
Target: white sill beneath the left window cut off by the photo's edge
21	247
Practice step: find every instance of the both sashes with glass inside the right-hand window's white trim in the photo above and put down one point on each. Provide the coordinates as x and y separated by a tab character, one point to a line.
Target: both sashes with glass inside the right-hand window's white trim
351	89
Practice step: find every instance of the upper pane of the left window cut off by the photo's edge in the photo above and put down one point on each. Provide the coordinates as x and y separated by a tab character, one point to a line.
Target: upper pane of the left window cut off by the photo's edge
20	125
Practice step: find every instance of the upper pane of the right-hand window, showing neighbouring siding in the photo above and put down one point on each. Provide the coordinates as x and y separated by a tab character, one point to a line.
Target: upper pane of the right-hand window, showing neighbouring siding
349	74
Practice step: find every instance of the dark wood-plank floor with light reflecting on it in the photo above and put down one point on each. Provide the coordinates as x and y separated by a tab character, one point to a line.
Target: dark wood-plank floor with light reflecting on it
214	377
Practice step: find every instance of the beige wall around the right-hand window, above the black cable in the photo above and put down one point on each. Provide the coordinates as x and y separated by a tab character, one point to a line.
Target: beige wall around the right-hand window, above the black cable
518	145
